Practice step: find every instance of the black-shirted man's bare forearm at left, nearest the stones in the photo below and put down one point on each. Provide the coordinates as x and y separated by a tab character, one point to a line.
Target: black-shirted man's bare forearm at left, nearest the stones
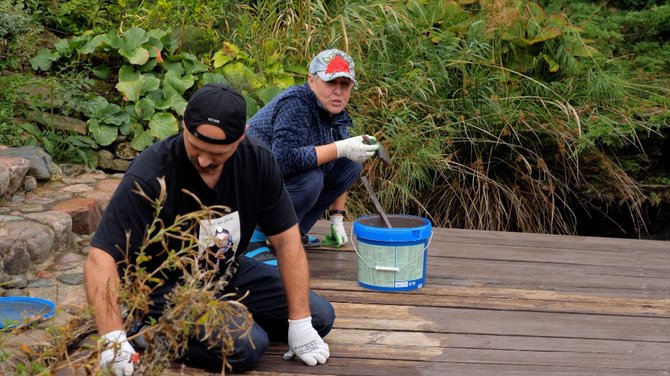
102	283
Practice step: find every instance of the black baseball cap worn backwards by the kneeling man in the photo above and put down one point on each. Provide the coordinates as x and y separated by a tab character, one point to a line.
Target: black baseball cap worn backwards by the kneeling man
219	105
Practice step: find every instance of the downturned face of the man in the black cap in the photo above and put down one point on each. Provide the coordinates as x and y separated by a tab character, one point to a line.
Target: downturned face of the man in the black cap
206	157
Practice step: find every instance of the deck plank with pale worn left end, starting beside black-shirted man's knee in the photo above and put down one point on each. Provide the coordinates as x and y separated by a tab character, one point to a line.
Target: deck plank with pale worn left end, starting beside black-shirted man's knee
497	322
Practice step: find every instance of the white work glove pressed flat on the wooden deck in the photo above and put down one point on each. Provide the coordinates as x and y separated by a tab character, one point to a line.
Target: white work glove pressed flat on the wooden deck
305	342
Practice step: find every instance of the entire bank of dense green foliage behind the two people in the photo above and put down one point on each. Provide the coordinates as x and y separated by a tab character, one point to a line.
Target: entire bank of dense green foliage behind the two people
500	115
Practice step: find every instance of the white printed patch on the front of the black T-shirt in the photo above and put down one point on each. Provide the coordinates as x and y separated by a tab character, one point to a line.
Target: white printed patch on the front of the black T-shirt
219	237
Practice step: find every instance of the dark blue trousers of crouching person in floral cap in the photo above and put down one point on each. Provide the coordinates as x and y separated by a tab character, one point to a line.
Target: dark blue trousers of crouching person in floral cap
313	191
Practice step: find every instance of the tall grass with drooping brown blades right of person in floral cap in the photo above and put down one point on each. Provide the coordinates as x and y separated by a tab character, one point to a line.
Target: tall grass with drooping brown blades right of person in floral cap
475	143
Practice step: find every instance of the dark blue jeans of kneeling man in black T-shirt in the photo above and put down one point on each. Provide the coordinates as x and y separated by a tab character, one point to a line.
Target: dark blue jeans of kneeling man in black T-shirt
267	304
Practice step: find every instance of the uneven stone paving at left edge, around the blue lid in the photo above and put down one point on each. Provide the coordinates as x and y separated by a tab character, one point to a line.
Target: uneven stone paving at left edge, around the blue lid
45	228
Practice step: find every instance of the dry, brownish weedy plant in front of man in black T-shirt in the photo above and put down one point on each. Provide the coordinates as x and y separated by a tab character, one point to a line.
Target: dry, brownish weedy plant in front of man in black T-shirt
194	307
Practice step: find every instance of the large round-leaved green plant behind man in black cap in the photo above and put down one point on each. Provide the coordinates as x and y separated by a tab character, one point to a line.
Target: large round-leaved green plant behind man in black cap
152	86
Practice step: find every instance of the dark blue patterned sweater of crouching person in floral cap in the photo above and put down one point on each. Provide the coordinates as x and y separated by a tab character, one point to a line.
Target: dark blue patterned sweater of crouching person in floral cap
292	124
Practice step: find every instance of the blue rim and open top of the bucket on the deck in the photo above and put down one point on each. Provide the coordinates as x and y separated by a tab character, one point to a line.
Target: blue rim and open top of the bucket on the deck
405	228
